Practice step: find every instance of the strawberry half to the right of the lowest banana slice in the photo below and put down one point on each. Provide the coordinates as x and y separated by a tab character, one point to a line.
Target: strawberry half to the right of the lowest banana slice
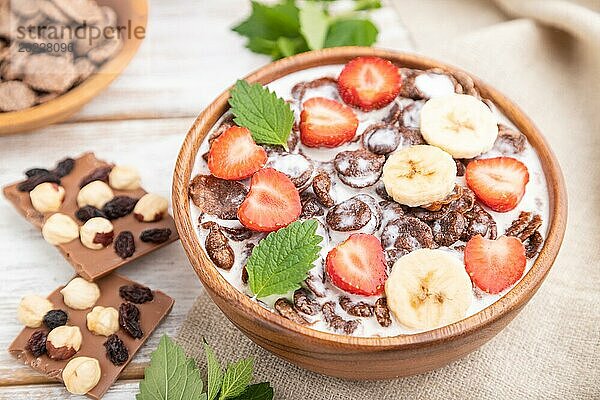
494	265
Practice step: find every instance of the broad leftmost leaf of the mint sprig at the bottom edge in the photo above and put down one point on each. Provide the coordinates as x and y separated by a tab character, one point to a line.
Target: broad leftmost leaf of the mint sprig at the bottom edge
171	375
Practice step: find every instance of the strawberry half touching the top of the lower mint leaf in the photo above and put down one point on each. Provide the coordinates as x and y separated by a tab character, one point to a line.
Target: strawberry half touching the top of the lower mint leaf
272	202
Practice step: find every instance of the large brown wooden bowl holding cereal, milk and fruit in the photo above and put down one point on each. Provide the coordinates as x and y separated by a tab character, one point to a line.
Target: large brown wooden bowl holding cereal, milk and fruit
354	357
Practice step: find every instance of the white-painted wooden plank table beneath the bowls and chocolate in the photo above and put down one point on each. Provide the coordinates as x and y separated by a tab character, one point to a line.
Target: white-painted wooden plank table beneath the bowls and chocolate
189	56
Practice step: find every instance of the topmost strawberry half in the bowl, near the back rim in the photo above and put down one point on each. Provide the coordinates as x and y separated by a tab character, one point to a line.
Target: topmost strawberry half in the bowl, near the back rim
369	83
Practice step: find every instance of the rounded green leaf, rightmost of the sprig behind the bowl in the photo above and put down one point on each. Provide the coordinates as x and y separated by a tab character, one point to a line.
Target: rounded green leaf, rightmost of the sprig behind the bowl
351	32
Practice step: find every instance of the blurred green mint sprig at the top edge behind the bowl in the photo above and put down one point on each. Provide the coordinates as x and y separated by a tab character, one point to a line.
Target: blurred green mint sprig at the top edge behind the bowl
290	27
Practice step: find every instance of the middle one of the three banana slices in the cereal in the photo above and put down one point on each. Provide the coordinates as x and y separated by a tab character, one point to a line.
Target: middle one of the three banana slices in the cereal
419	175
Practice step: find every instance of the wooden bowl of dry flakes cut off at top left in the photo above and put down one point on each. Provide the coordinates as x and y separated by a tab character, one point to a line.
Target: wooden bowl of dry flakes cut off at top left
69	103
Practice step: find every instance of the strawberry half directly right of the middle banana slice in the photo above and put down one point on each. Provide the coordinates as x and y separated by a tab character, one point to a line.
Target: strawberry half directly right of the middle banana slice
498	182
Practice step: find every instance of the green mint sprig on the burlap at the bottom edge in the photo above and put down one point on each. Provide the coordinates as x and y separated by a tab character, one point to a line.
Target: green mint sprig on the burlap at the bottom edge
172	375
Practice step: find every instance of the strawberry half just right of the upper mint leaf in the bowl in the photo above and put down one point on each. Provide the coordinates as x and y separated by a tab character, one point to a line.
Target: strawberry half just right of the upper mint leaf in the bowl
326	123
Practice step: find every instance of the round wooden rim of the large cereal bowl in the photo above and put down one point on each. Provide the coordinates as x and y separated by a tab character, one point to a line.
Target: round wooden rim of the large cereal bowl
219	286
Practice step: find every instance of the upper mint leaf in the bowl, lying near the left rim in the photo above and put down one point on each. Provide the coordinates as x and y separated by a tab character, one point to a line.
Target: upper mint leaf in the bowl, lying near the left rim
268	117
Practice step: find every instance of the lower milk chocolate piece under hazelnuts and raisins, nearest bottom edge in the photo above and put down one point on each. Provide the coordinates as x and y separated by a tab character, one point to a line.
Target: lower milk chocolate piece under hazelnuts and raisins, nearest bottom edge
151	314
